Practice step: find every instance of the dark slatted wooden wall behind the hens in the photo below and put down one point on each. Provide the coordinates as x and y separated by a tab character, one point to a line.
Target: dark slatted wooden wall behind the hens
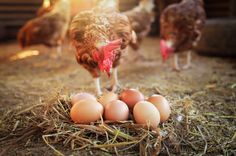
14	13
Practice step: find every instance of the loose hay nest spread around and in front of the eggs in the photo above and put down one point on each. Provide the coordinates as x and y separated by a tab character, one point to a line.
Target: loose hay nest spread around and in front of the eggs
187	132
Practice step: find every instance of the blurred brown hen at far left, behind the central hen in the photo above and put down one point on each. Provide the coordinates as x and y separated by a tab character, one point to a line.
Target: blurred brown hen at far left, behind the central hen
49	29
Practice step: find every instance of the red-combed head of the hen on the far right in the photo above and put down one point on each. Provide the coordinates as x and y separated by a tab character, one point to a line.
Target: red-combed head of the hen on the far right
166	48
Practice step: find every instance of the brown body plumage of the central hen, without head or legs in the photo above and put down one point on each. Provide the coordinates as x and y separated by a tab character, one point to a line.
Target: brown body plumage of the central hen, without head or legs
98	25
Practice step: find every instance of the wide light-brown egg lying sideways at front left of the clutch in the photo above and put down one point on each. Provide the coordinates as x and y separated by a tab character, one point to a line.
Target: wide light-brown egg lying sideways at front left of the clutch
86	111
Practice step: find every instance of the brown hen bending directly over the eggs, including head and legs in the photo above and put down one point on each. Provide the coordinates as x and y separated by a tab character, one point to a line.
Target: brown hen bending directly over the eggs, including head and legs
99	36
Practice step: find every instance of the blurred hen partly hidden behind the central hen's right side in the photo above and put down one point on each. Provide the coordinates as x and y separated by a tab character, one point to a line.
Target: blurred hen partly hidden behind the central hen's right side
141	18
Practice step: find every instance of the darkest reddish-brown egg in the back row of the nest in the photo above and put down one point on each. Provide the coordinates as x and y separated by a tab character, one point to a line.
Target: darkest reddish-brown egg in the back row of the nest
131	97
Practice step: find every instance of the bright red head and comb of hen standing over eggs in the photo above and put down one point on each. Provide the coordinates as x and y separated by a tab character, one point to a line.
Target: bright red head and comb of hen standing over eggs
105	54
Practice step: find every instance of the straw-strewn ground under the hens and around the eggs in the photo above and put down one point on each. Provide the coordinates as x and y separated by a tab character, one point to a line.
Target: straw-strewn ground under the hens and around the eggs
203	120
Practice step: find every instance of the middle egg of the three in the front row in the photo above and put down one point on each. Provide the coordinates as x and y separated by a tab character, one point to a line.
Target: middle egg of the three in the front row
116	111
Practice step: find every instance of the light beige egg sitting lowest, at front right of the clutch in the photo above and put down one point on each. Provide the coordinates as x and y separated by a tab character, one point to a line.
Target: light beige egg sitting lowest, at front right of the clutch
146	113
